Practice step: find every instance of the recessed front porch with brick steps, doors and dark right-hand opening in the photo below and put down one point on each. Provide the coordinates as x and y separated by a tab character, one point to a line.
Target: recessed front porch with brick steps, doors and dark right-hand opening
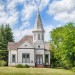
42	61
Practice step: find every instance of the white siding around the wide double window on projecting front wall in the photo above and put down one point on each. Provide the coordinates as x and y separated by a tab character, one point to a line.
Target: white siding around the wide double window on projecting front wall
29	51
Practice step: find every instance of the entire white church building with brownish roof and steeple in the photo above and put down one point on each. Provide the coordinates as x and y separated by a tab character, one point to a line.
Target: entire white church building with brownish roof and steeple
30	50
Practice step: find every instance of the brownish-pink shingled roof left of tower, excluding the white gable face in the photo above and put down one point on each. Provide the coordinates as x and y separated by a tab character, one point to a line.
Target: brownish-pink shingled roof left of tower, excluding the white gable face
15	45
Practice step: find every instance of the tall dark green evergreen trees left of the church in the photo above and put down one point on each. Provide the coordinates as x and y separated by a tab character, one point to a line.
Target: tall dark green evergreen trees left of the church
6	36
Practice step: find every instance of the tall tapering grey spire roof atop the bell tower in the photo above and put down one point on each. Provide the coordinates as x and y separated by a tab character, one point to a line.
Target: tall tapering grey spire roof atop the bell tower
38	24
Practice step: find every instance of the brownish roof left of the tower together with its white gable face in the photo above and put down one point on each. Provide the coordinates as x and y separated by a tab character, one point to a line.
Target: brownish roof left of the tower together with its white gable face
27	40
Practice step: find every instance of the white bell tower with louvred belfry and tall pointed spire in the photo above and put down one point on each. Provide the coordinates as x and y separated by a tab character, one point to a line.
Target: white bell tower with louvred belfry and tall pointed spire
38	31
